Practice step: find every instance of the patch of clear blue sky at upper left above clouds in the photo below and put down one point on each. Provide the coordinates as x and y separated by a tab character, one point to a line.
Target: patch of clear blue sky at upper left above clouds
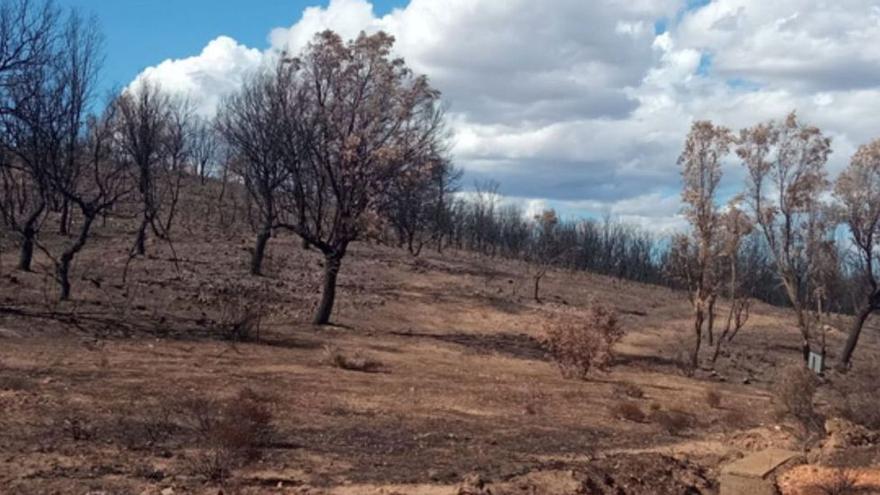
141	33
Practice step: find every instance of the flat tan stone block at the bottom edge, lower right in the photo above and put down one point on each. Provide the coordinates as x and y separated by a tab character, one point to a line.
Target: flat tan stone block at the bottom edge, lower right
755	474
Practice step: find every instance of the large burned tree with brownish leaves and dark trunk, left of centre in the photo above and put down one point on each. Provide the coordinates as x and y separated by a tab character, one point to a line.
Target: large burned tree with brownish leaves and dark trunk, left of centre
368	120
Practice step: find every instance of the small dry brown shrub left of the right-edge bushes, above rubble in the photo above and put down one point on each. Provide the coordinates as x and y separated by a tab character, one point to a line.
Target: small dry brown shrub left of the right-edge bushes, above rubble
793	397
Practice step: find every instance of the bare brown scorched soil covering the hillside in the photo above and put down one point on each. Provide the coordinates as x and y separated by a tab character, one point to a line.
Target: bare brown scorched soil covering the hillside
90	389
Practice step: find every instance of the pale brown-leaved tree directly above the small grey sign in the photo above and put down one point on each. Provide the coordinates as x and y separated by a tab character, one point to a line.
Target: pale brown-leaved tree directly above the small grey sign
786	179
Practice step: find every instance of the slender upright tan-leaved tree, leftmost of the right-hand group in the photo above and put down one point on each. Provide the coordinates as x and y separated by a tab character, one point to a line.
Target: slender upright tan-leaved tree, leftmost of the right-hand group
706	146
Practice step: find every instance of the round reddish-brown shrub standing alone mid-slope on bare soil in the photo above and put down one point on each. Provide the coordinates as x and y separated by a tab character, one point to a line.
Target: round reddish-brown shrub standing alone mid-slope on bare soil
579	346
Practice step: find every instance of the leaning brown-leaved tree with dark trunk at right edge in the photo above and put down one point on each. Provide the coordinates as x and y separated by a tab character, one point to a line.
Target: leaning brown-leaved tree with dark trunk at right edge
858	191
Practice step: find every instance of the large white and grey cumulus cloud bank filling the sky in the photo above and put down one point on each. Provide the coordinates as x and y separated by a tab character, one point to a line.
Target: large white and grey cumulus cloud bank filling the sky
583	106
